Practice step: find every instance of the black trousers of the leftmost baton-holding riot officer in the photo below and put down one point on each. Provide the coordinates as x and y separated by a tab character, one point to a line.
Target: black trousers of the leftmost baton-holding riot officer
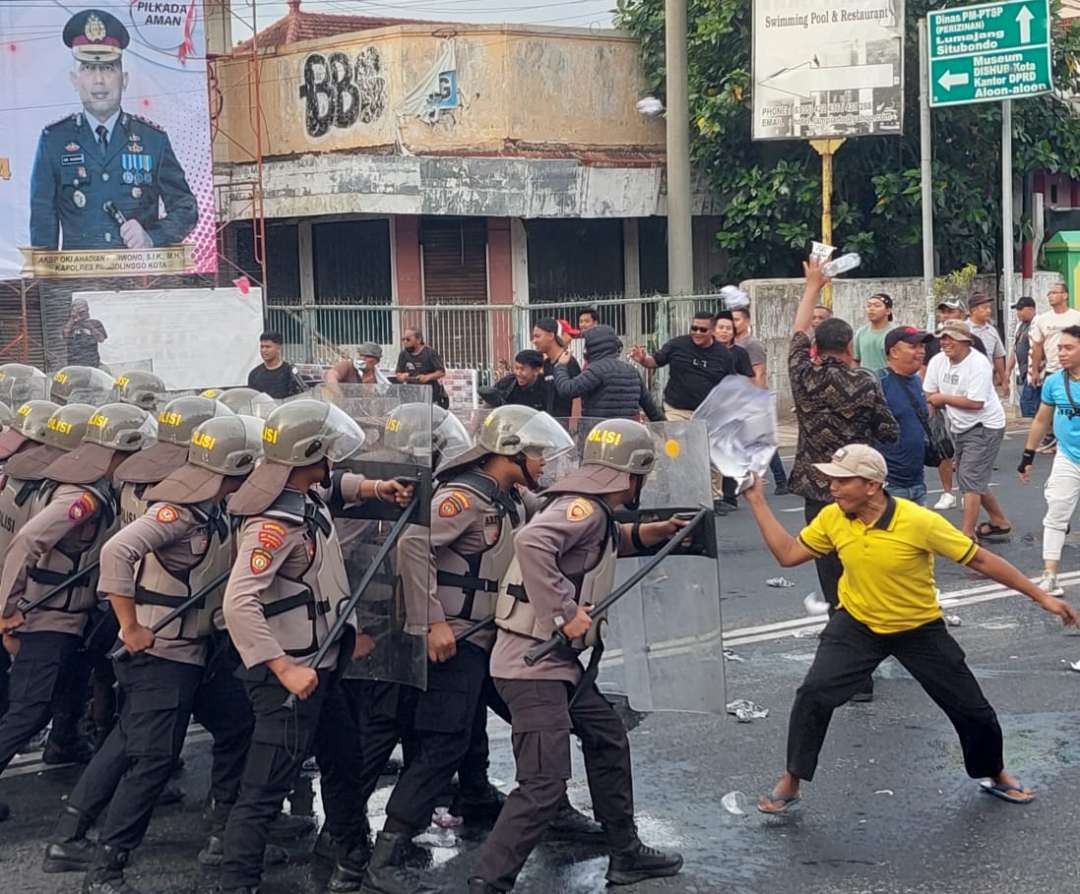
40	675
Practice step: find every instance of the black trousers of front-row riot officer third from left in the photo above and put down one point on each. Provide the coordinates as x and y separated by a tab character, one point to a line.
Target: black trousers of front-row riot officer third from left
281	741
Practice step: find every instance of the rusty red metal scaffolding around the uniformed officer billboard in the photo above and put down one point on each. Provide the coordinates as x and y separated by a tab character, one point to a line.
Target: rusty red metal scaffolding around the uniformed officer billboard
24	313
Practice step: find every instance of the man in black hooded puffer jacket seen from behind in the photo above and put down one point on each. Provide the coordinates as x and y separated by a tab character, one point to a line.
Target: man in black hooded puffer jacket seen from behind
609	388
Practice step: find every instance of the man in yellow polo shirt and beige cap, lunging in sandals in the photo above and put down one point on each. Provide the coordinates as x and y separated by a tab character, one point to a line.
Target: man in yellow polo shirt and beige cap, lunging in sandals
888	607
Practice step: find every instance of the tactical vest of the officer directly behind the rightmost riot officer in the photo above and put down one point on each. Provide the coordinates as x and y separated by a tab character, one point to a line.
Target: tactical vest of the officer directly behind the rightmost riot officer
469	583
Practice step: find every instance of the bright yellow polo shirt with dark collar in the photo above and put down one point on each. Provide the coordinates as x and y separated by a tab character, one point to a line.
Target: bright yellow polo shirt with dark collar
888	581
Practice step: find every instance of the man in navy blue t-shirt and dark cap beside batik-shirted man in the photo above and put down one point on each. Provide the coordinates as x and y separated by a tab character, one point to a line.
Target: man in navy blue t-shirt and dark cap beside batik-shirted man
906	354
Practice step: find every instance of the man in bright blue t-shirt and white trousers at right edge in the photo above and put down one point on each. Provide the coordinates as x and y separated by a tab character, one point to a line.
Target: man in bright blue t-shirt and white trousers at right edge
1061	408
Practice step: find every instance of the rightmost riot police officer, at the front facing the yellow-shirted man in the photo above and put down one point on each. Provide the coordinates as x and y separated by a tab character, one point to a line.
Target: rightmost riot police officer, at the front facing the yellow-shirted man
564	560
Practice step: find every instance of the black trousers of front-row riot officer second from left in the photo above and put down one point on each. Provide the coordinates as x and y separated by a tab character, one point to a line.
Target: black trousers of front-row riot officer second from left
220	703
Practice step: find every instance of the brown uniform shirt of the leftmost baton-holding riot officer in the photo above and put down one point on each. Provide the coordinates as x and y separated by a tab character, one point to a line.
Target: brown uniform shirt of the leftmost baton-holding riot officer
67	524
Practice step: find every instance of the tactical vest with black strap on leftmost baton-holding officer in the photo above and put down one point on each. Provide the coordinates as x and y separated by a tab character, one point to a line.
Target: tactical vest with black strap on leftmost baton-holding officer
58	565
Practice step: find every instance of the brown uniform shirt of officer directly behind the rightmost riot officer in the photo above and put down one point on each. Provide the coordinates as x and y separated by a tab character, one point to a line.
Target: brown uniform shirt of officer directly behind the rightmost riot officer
461	521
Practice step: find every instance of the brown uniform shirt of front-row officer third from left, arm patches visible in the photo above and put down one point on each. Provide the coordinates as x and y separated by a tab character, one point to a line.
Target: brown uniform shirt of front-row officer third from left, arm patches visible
268	548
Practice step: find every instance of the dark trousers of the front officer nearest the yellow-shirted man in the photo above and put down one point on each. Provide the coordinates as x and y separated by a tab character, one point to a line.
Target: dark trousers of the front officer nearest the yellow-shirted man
543	722
